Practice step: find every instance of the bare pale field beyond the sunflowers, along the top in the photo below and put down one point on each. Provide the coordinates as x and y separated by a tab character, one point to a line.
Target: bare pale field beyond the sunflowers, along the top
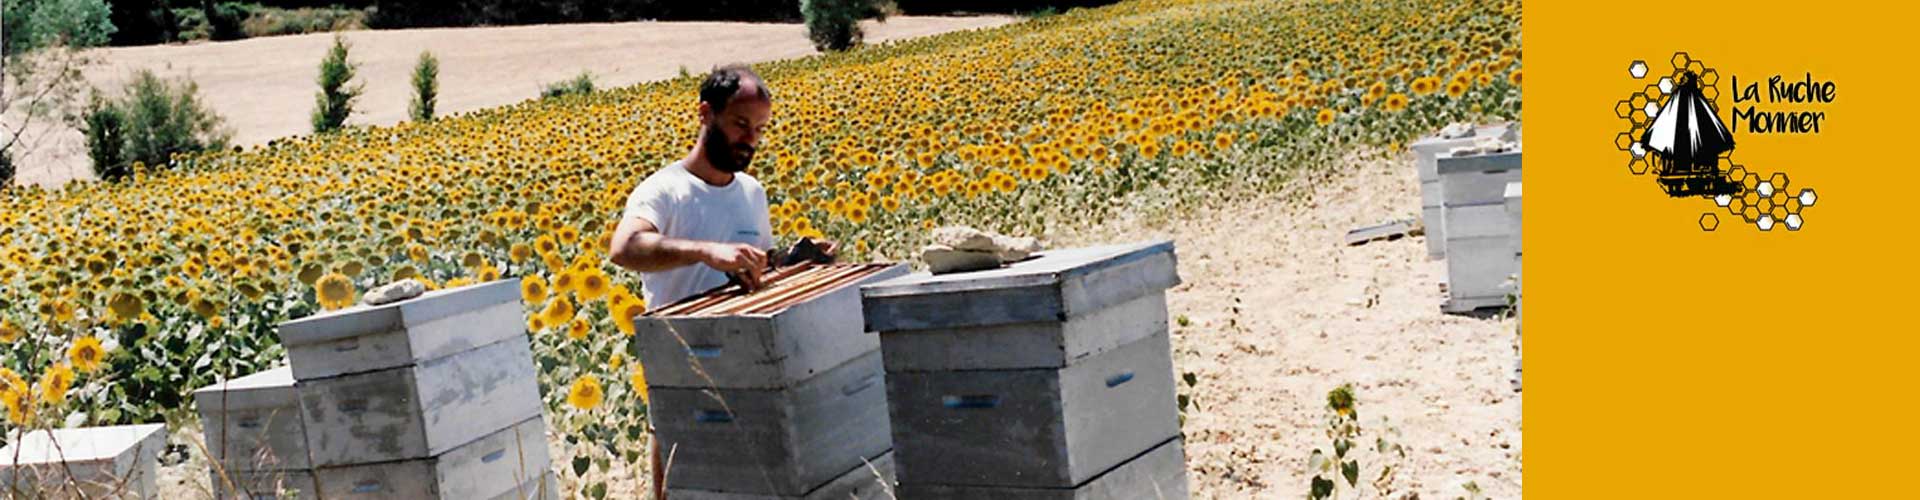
266	87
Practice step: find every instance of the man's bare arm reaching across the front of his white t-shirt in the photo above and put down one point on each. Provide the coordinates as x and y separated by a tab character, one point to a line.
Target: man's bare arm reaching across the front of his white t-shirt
638	245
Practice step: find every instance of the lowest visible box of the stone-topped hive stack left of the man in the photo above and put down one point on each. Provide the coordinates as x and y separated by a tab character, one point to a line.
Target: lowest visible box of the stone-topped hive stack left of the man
502	464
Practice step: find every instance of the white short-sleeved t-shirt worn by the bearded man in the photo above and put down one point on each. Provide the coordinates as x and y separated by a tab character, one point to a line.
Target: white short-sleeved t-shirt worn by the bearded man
684	207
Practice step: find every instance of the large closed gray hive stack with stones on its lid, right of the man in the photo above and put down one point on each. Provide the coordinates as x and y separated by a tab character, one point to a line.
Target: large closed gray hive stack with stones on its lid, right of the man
1051	378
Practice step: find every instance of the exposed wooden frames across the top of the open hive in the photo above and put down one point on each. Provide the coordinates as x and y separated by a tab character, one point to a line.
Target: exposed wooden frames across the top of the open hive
782	289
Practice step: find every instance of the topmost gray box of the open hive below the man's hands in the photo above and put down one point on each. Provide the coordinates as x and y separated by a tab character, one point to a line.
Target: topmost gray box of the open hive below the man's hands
775	351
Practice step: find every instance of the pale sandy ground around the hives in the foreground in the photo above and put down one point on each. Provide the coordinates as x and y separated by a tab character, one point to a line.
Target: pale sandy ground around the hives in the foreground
1280	311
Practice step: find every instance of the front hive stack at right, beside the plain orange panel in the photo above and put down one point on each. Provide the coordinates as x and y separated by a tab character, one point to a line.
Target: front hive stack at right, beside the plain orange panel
1479	232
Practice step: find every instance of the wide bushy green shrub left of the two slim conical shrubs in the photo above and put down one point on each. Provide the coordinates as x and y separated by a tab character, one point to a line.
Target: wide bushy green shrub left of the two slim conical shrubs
151	124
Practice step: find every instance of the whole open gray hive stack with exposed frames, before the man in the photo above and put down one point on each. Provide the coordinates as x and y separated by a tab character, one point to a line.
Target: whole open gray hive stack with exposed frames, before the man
771	395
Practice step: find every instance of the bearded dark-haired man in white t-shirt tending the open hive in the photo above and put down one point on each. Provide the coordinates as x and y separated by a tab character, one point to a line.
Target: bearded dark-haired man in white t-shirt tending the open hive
702	218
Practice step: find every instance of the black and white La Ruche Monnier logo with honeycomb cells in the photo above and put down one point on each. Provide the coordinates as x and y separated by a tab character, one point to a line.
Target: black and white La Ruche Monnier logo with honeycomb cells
1673	132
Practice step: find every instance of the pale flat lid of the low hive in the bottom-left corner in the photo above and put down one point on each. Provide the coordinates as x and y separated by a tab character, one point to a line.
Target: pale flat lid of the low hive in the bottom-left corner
82	445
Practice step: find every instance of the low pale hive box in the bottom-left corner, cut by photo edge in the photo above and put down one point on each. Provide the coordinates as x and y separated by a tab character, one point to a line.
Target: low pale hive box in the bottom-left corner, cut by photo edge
107	462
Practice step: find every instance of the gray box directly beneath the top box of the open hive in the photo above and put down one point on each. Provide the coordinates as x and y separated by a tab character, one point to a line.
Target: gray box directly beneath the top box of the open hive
782	443
